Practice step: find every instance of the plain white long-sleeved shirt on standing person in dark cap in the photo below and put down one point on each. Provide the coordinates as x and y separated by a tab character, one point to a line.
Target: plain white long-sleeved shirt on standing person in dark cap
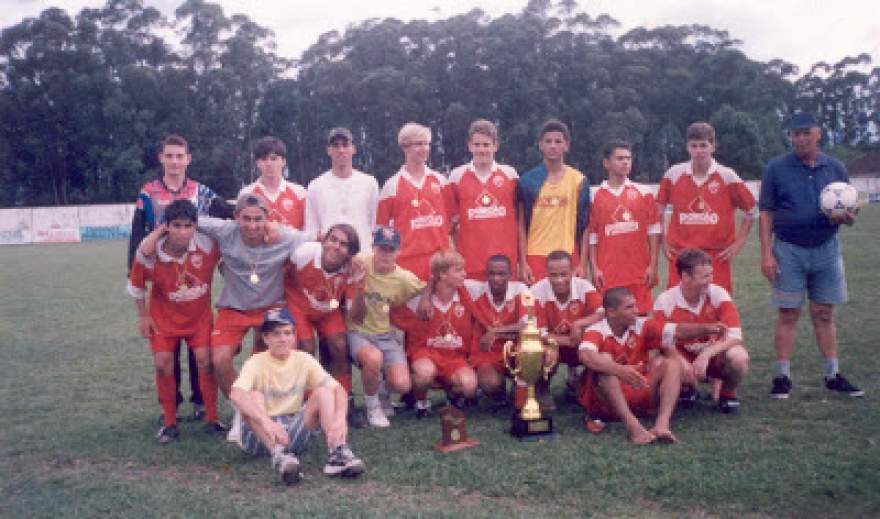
331	200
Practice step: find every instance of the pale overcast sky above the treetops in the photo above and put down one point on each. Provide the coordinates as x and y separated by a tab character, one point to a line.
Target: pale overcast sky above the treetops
801	32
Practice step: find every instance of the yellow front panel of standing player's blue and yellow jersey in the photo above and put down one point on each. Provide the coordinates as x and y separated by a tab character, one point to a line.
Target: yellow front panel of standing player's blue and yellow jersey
554	215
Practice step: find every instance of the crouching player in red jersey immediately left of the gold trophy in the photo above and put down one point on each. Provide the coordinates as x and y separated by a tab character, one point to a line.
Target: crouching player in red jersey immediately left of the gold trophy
497	306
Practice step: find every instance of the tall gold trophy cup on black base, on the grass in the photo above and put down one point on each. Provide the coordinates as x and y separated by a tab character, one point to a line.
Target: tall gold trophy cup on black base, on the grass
526	364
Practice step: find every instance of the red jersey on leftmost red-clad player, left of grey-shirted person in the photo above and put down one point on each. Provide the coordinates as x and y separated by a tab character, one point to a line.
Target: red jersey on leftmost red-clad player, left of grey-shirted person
180	295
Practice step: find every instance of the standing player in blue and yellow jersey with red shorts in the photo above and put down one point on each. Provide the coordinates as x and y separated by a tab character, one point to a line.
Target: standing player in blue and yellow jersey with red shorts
554	207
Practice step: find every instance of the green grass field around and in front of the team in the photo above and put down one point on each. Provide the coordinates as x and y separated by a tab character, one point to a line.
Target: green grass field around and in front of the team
79	414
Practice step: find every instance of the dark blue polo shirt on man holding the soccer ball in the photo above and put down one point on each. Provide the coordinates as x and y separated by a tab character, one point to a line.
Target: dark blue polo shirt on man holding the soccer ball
790	190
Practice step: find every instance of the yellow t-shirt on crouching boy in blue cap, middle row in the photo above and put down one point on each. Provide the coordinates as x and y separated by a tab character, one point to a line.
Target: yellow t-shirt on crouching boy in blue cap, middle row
381	292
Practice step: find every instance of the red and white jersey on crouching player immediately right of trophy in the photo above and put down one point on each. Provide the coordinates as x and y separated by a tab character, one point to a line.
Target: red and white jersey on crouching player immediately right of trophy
557	318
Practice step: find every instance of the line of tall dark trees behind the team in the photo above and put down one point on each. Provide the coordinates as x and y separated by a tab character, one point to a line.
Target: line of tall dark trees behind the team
85	99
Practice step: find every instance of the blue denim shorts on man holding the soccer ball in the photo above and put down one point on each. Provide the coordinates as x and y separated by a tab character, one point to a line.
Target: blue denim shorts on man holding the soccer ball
818	271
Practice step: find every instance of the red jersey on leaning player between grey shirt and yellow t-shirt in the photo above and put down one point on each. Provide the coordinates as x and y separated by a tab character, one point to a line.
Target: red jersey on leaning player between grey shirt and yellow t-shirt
308	287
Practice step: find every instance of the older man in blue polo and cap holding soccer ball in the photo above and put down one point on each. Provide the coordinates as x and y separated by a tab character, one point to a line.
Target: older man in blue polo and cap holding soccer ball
804	254
